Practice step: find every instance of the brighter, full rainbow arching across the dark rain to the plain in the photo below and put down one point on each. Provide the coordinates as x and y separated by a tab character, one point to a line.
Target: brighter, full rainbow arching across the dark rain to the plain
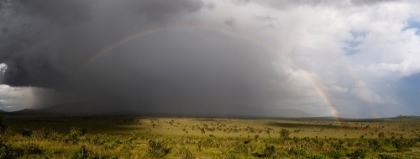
317	86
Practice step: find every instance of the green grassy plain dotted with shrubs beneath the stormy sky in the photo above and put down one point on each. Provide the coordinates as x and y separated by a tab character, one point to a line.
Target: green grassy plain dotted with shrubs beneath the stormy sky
142	137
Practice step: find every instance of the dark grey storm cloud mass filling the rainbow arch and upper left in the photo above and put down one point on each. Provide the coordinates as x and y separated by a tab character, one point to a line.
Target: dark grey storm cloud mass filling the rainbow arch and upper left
186	71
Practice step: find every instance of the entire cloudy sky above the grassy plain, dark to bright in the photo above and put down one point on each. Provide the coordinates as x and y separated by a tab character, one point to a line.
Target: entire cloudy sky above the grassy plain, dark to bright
349	58
